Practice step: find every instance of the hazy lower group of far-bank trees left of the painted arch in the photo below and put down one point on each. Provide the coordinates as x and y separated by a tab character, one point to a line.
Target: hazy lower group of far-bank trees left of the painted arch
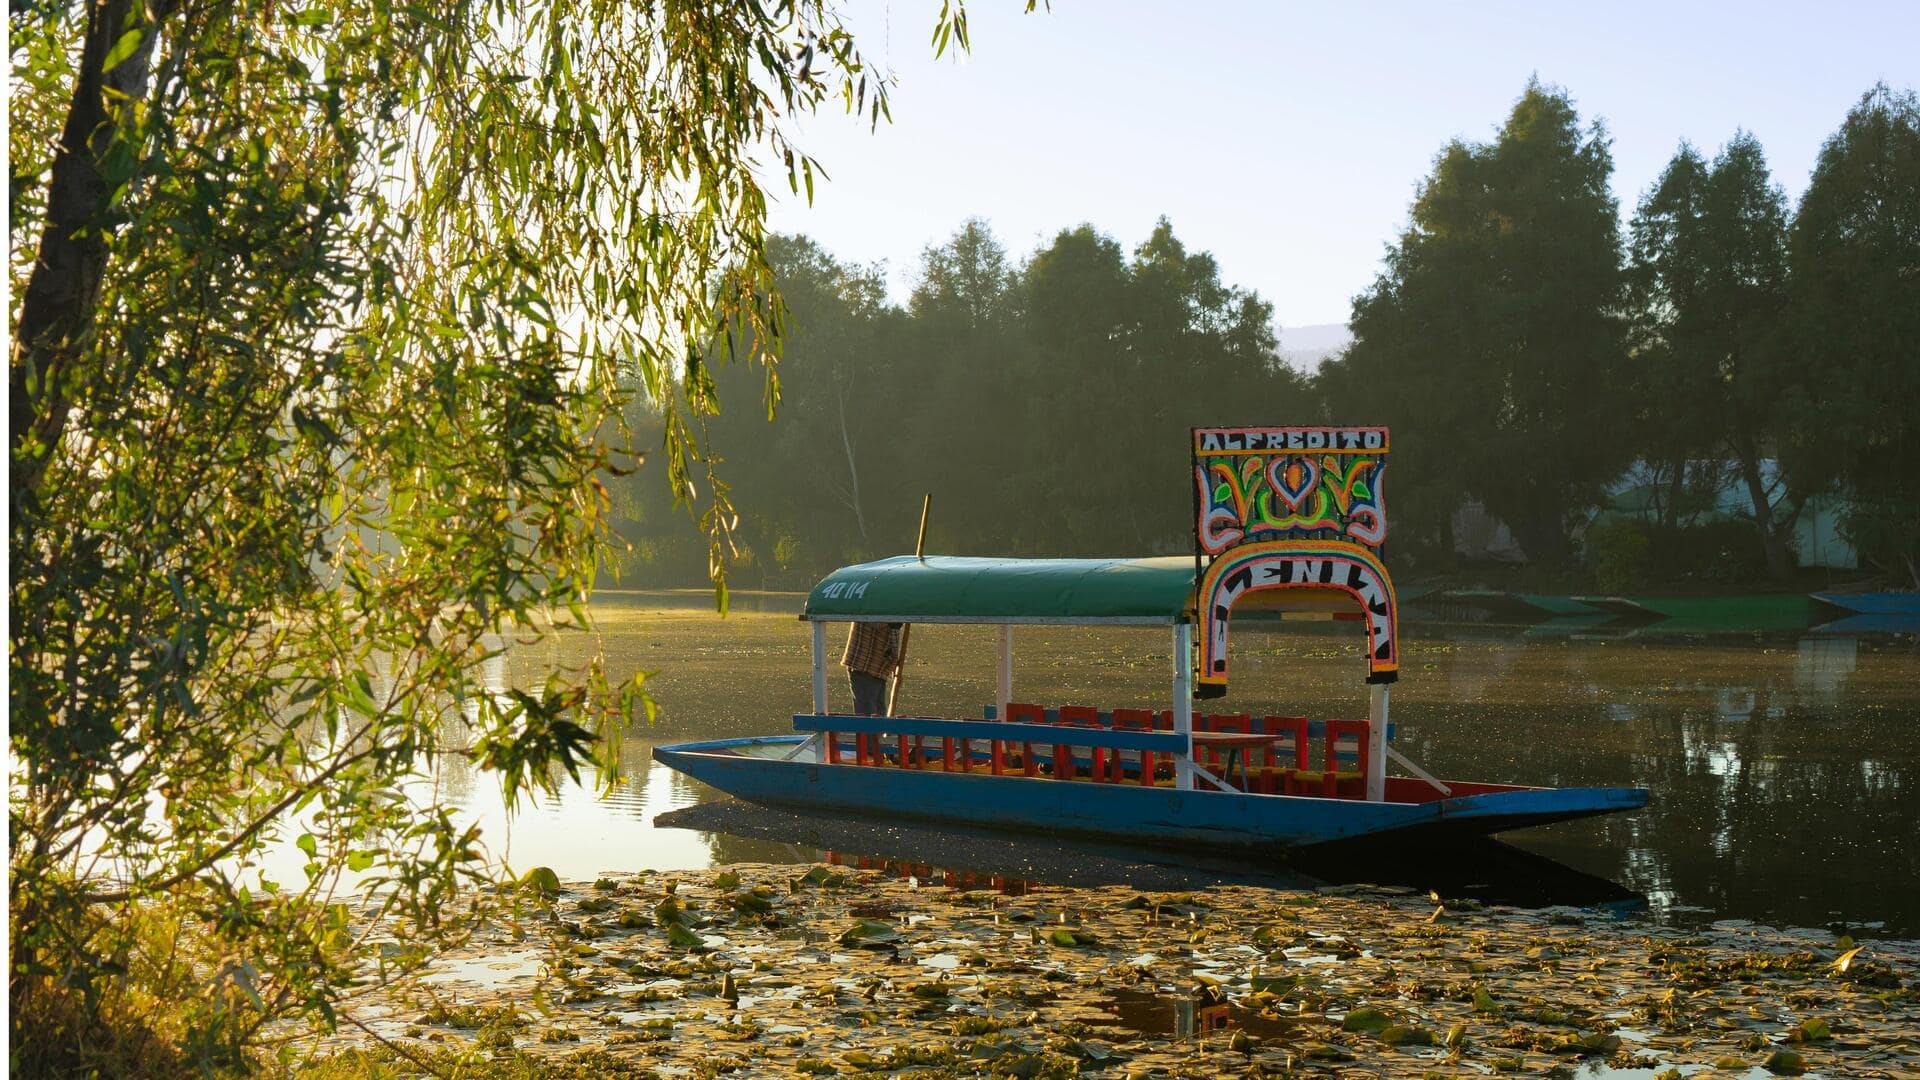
1044	405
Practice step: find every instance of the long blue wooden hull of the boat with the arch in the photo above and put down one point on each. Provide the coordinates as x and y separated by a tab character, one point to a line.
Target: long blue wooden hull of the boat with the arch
1120	812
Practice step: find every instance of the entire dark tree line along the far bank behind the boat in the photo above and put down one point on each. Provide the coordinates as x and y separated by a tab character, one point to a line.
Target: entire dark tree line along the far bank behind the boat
1524	347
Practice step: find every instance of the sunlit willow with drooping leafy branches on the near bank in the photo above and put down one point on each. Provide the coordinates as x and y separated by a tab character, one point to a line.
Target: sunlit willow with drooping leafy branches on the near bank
322	320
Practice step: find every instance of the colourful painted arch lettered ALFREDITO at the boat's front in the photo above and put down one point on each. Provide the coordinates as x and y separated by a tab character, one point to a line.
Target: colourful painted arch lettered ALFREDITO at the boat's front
1291	518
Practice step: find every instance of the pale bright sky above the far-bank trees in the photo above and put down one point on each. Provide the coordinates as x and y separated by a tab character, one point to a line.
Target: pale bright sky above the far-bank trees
1289	139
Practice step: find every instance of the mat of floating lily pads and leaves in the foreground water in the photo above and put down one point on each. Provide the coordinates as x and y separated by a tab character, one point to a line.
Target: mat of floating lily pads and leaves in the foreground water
771	971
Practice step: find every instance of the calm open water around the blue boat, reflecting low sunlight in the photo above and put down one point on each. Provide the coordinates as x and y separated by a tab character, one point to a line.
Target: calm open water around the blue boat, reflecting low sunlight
1785	772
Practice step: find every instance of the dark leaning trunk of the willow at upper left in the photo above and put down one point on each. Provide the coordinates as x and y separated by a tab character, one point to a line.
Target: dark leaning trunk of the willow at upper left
64	289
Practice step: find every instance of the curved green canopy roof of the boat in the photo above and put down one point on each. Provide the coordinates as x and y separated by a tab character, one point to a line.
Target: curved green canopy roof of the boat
951	589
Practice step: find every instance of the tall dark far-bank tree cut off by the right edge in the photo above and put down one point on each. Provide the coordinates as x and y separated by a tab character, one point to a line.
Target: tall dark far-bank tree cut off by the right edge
1856	264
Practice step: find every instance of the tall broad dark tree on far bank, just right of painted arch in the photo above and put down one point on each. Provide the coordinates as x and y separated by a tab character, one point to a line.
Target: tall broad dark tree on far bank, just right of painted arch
1493	337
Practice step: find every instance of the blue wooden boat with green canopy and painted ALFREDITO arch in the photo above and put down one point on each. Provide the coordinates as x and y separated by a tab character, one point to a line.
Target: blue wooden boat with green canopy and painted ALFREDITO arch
1287	524
